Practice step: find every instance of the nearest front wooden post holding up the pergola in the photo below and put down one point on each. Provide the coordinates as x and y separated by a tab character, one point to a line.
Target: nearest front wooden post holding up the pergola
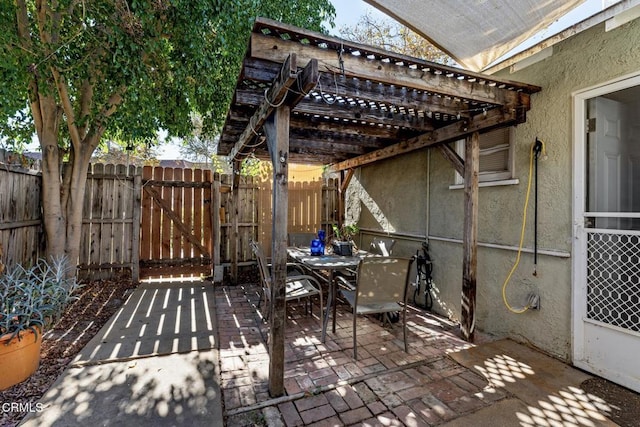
277	132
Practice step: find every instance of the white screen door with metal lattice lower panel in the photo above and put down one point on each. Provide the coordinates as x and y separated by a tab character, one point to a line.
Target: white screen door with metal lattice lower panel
606	285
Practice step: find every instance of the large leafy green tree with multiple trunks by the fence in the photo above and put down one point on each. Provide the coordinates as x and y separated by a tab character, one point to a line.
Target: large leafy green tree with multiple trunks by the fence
75	71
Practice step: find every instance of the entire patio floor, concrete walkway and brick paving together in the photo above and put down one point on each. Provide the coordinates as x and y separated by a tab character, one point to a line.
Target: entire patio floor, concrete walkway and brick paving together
192	353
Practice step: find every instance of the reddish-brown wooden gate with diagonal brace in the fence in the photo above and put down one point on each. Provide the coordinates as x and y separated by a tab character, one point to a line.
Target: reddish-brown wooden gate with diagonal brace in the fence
176	233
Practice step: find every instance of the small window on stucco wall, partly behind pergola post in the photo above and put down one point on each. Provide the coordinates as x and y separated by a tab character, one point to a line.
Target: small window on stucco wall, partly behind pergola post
496	156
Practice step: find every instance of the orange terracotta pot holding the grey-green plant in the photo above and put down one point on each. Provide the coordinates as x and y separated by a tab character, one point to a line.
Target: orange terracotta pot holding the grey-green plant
19	358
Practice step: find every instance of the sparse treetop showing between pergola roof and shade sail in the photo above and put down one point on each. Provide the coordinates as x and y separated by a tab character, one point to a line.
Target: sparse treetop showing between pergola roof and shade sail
390	35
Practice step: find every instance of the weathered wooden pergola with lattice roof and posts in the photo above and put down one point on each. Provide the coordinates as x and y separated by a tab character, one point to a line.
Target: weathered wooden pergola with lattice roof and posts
305	97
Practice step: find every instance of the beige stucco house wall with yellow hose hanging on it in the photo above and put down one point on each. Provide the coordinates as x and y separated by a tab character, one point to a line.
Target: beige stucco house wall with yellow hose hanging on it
591	58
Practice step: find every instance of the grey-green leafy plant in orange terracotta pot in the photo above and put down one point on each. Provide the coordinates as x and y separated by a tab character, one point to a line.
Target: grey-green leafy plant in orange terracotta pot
31	299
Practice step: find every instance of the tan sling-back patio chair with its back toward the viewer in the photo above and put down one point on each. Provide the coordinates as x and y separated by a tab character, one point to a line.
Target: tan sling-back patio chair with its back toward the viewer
381	287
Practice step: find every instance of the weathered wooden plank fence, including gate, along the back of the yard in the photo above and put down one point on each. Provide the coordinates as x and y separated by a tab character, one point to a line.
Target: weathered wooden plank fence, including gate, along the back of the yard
157	221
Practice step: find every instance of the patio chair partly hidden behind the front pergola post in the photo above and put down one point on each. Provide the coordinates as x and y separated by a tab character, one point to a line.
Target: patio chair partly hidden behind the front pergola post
298	286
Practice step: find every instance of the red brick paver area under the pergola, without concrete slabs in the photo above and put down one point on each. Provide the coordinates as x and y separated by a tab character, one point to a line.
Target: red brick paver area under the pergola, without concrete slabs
325	386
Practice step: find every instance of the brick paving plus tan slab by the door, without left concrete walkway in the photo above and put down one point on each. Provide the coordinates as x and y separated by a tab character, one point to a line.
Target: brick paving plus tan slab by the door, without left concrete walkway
443	380
